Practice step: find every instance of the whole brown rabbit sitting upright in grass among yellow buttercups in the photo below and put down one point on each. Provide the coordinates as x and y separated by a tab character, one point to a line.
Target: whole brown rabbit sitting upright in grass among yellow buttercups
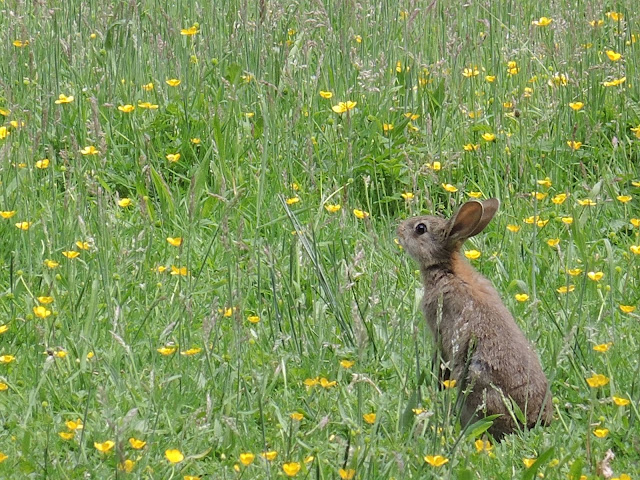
478	338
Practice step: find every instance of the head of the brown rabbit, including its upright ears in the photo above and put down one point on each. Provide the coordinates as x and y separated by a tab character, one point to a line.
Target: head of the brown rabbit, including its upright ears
433	240
